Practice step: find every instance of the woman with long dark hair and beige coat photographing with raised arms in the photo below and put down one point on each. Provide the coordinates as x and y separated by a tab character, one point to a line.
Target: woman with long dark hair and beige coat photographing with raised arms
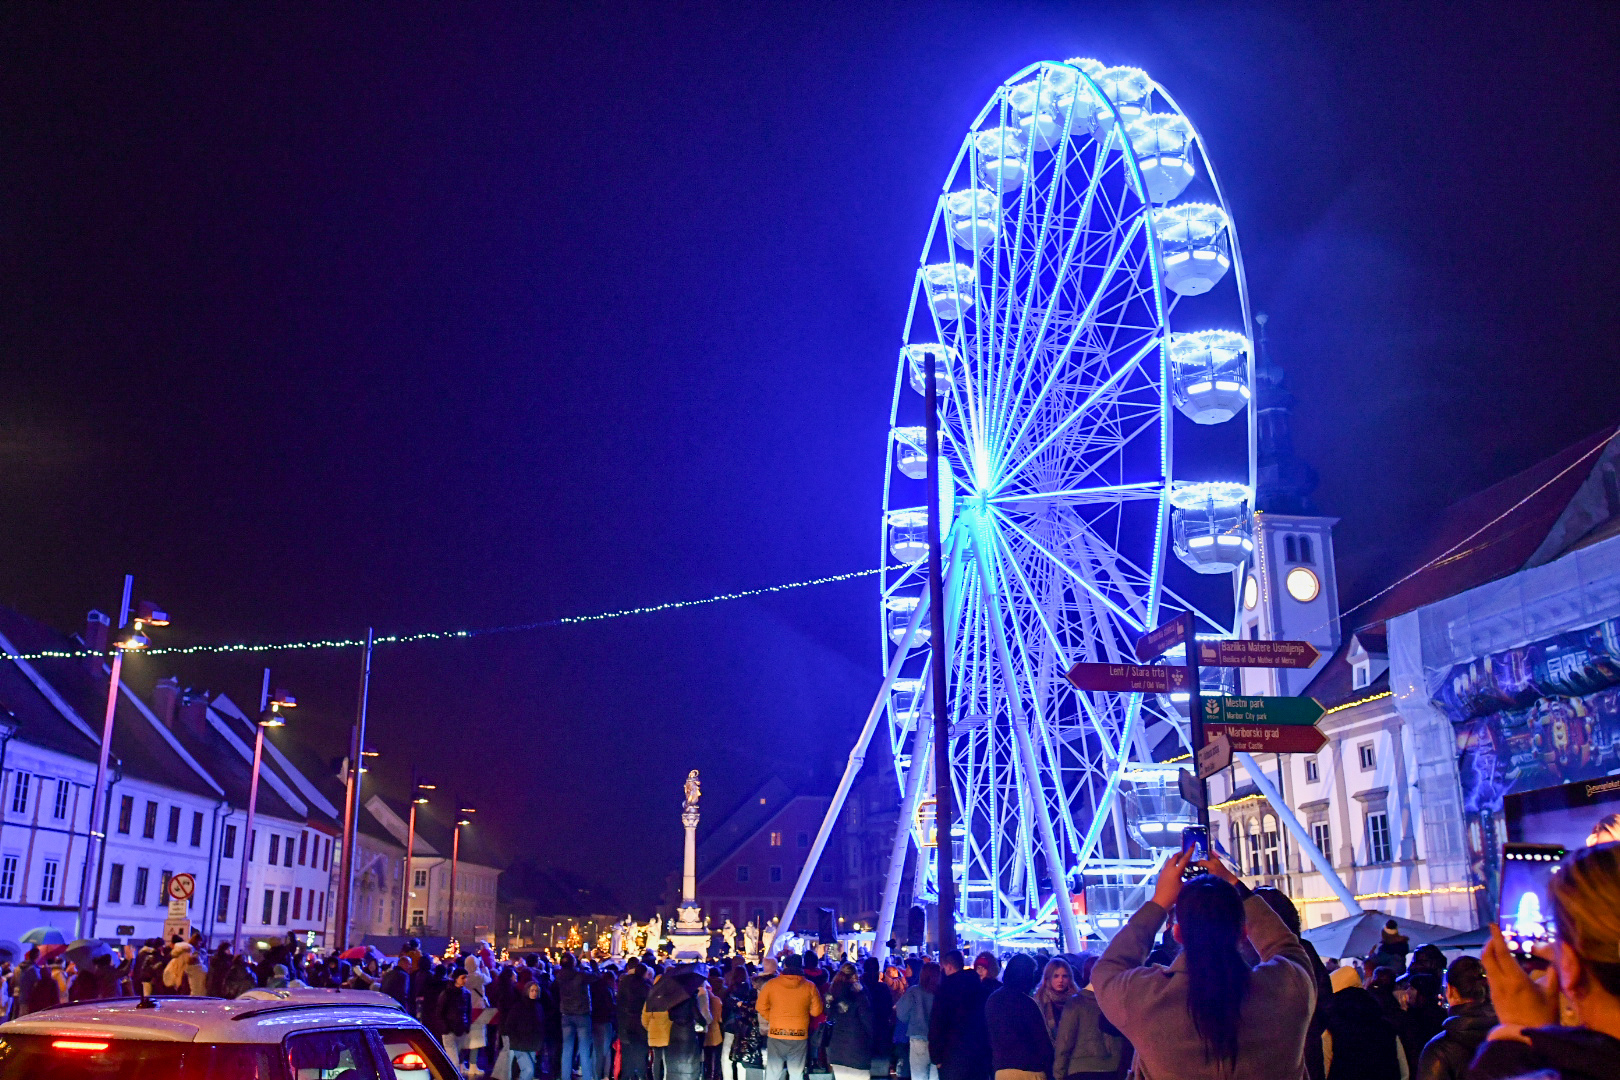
1209	1016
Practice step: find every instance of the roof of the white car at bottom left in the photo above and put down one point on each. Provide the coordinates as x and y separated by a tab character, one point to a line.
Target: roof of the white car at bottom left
260	1016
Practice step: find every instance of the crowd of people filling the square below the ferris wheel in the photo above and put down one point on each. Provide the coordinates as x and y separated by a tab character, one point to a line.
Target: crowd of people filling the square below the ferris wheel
1230	992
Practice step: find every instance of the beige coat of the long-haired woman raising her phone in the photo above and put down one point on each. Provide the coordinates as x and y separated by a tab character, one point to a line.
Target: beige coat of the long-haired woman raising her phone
1149	1005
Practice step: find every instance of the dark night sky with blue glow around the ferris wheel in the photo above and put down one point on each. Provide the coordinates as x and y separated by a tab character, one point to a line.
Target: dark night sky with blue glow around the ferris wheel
453	317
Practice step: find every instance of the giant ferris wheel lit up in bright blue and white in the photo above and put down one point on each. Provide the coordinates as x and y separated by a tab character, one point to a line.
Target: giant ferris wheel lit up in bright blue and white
1083	305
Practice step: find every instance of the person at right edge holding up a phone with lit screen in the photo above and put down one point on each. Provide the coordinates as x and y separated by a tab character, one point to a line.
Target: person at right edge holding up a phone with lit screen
1584	979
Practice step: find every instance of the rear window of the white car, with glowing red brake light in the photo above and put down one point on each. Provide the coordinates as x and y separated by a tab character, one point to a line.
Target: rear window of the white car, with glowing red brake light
87	1058
